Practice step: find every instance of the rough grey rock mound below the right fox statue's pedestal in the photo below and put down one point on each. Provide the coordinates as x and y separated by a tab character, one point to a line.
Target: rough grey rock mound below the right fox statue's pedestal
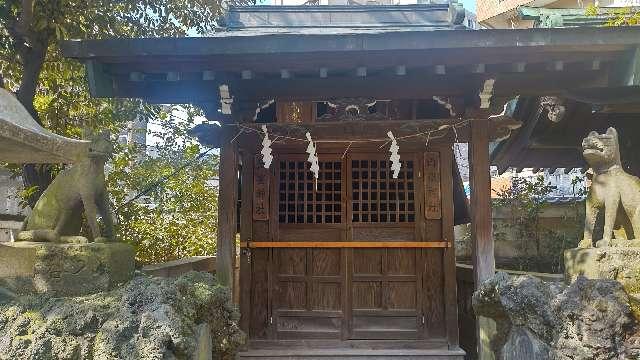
590	319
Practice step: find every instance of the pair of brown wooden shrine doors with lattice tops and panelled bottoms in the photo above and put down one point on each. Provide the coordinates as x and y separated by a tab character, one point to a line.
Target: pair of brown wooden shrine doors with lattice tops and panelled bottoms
348	293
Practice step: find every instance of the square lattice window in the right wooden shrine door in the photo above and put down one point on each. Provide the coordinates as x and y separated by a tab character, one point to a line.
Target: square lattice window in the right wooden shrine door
379	198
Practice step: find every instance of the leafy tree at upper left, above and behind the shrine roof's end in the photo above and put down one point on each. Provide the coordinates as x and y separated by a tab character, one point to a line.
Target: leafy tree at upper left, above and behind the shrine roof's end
52	88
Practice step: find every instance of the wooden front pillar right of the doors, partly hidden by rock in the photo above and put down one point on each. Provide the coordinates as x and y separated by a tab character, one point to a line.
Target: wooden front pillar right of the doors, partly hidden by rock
481	223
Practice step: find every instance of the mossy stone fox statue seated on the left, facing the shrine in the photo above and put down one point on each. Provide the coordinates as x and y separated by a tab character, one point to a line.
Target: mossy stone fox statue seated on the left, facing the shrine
57	216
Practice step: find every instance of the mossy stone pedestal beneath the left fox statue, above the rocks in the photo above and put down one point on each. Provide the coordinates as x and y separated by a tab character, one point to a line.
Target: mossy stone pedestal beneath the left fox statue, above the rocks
64	269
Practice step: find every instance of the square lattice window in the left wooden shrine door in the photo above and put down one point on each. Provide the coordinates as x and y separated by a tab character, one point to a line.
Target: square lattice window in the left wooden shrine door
300	203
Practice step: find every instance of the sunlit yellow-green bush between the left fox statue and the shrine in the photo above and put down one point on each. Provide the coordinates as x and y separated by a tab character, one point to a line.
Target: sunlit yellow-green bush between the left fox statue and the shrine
177	217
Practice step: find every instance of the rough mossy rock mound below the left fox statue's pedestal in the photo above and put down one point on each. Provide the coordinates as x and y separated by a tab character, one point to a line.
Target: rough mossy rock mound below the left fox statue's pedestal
148	318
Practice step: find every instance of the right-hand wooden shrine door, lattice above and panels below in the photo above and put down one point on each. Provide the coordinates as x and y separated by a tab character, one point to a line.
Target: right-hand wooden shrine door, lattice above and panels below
385	283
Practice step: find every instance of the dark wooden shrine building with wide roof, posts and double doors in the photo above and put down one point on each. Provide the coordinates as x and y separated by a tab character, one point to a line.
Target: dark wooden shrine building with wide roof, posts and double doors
355	262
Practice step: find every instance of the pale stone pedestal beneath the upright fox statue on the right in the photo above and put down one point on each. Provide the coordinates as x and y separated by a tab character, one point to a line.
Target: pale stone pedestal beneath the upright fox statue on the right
615	263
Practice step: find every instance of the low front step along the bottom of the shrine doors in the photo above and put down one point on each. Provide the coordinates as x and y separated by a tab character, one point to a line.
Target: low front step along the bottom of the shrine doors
351	354
